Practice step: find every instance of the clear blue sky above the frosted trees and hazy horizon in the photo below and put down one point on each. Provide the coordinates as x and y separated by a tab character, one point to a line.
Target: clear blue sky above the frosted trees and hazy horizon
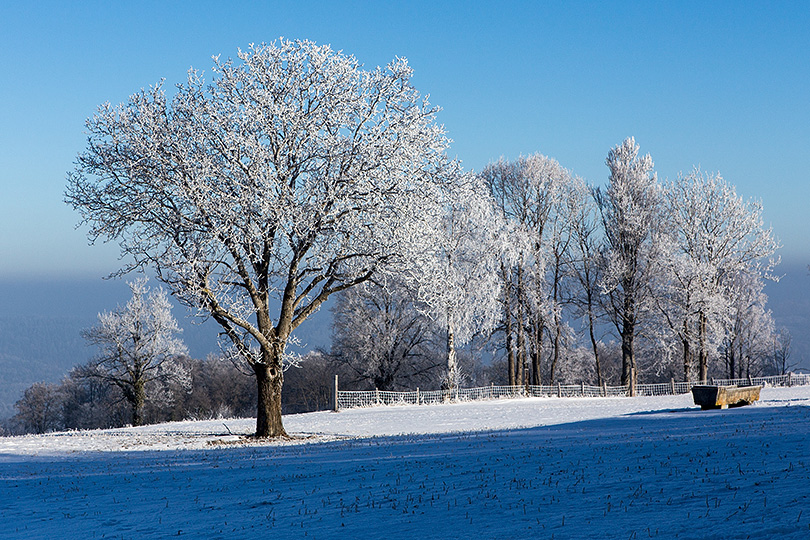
723	85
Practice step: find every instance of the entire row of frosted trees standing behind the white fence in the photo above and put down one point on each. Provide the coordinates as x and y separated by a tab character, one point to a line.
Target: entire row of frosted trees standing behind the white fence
674	271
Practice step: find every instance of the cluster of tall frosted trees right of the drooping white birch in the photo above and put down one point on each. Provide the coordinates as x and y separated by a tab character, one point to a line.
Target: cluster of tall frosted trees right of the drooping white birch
678	265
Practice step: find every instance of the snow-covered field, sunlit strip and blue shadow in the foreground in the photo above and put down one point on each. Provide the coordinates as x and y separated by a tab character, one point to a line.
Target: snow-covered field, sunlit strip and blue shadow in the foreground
534	468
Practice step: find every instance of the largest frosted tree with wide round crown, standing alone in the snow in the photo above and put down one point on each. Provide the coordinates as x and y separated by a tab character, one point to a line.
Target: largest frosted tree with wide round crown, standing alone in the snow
293	175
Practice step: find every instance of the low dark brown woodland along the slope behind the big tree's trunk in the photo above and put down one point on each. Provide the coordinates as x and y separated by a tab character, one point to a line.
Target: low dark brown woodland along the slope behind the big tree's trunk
217	389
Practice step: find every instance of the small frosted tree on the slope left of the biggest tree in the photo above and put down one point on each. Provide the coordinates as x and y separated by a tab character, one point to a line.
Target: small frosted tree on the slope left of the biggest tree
138	347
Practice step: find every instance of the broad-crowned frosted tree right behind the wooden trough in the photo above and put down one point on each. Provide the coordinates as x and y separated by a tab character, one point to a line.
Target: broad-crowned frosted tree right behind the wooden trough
717	236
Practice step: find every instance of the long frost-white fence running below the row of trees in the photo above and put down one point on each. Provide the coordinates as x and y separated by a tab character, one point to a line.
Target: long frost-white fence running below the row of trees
348	399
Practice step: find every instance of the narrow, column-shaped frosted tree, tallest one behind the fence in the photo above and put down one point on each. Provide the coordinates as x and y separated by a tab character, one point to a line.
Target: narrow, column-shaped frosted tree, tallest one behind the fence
630	210
